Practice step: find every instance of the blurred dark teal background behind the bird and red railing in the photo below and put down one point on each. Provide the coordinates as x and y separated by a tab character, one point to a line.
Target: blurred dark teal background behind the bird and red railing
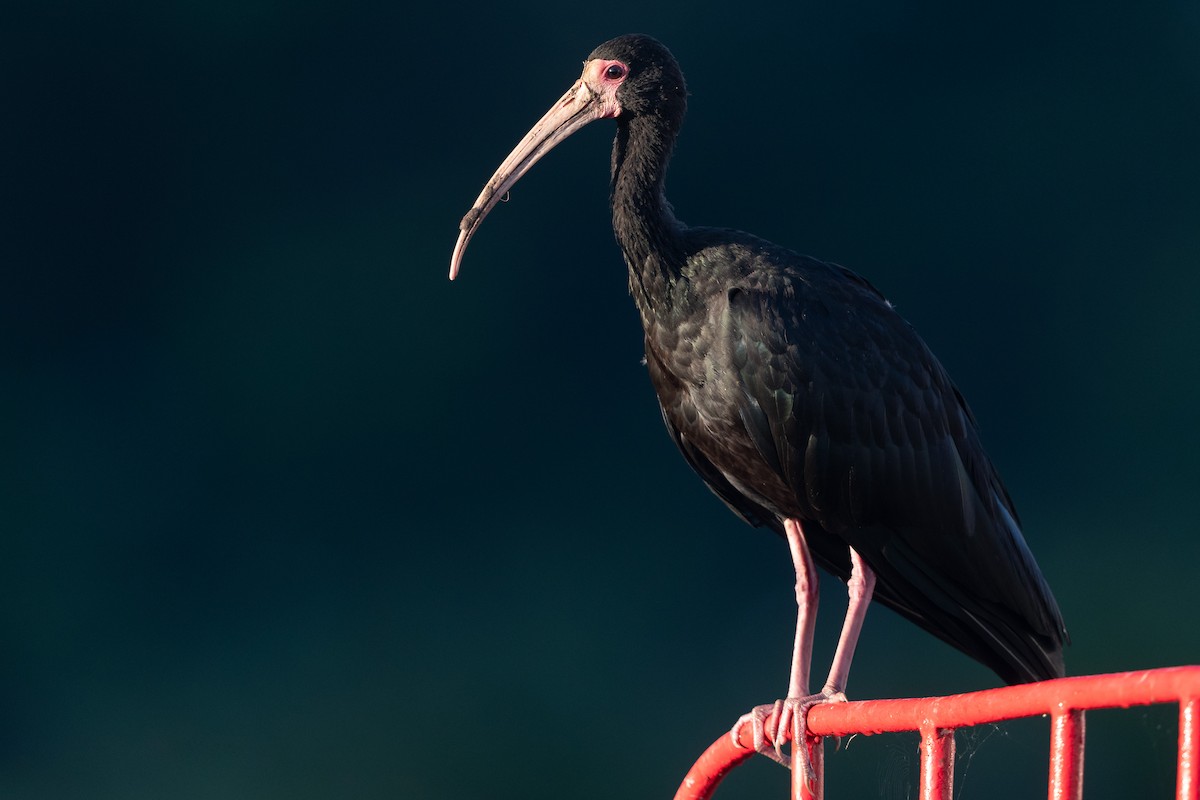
286	514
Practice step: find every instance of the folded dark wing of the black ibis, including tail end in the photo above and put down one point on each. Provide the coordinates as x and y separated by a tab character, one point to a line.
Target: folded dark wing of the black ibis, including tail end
849	405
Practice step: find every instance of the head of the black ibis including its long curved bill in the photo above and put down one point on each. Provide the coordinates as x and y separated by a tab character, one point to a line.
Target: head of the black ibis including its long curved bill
626	79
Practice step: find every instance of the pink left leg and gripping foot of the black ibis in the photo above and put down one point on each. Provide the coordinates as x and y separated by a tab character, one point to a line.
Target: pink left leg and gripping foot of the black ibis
807	593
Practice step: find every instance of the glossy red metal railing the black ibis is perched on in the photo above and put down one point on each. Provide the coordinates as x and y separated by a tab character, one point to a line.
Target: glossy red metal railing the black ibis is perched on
937	719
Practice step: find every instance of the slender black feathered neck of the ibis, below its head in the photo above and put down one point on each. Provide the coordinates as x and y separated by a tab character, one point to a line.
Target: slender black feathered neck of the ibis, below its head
647	231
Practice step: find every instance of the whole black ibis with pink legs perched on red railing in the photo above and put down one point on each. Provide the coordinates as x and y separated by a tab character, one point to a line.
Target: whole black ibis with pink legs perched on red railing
807	404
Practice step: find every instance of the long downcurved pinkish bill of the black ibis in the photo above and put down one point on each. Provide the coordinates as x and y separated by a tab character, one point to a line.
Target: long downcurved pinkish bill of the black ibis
575	110
